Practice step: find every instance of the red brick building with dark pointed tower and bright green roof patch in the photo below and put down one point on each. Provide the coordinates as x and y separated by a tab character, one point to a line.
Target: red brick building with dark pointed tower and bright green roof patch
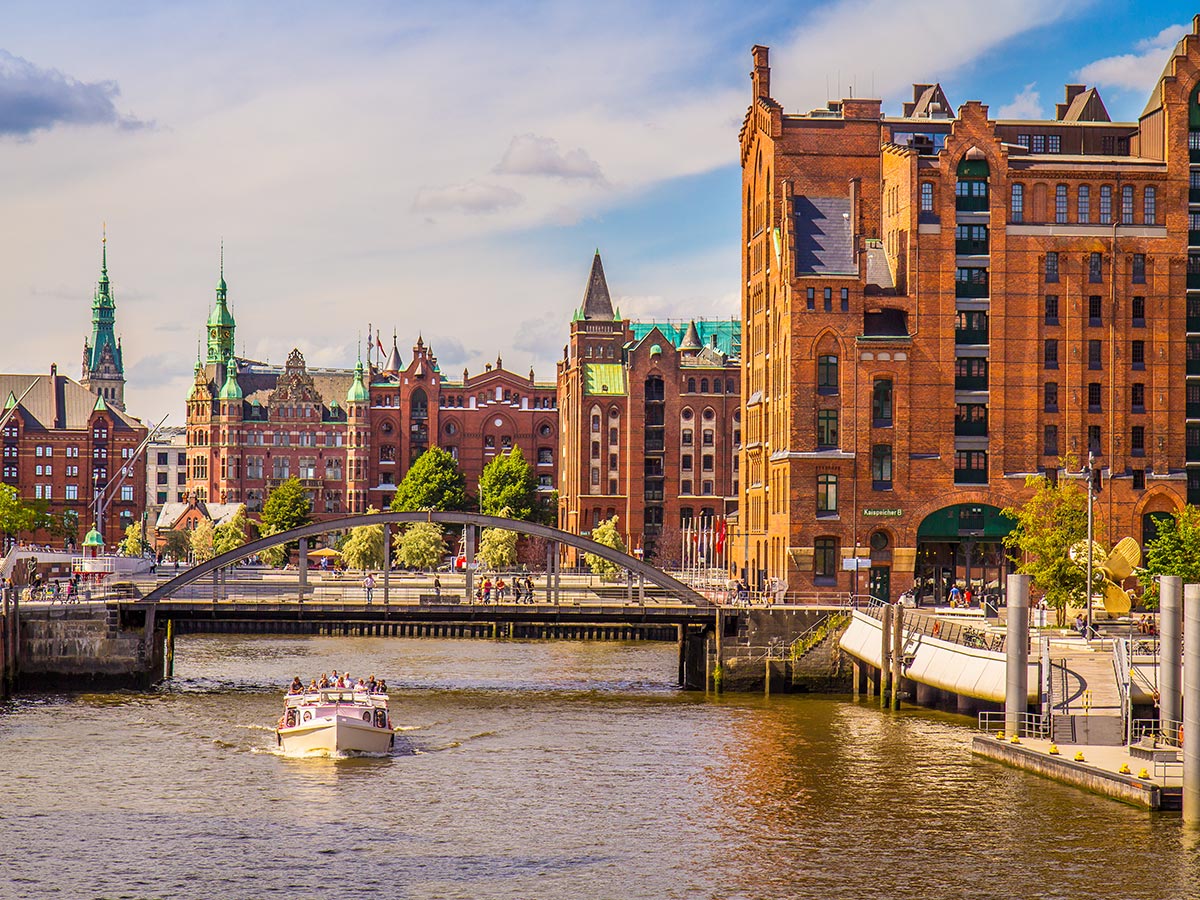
651	416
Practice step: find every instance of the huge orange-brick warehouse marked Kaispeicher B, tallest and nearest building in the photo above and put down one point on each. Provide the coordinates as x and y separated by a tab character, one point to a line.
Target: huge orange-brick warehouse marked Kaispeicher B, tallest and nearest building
938	305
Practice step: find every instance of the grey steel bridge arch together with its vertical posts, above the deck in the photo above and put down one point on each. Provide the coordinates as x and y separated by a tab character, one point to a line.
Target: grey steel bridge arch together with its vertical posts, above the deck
471	521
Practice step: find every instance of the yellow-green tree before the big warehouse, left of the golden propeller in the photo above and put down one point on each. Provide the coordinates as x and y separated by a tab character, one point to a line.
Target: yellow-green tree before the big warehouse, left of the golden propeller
1048	526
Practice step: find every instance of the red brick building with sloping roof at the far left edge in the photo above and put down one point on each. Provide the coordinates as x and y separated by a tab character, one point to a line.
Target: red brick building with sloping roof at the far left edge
67	447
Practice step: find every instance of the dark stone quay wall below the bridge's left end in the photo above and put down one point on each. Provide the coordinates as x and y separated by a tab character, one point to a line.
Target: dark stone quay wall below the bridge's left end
89	646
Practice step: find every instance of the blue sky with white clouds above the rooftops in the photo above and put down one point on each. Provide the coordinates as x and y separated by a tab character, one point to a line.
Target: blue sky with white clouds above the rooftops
447	170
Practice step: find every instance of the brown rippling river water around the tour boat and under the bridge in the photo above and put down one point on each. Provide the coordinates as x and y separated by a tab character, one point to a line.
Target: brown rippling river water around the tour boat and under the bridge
526	771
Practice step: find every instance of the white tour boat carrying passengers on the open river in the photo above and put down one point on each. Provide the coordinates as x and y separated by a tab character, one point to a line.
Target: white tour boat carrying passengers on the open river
335	721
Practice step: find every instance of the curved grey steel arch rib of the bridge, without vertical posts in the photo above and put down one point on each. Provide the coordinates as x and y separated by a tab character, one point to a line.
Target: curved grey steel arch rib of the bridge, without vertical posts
655	577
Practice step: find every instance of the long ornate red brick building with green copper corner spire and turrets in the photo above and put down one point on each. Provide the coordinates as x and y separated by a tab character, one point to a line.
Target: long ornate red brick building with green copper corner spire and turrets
351	435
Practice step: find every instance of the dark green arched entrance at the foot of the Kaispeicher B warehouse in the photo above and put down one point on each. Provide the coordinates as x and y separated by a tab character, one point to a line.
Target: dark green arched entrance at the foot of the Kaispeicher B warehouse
962	545
